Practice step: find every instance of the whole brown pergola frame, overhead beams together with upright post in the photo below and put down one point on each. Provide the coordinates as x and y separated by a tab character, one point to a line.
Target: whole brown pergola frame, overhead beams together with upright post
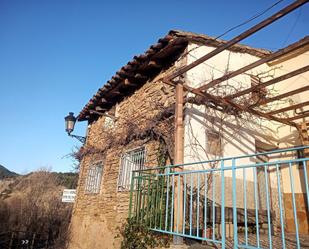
227	102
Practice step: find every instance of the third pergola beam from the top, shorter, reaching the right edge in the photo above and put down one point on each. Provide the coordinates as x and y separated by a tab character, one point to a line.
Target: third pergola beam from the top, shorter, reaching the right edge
270	82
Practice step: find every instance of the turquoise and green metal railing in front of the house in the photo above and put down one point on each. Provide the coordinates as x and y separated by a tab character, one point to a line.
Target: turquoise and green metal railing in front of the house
205	199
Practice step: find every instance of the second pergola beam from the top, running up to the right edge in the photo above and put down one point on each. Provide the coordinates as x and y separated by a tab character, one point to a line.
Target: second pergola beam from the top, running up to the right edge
257	63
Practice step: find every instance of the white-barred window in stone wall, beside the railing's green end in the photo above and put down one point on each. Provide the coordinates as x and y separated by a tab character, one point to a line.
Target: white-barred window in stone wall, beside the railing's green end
131	160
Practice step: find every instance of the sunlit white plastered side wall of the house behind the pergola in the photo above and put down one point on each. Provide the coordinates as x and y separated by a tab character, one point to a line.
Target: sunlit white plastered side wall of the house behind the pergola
239	138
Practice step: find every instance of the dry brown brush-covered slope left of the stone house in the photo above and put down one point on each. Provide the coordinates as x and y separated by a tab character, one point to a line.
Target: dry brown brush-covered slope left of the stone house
31	204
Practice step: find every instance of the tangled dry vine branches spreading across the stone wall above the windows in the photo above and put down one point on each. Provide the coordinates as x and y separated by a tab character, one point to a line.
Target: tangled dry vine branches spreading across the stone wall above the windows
159	126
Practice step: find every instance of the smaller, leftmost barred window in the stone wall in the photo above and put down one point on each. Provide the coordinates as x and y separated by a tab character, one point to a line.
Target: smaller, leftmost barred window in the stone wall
93	181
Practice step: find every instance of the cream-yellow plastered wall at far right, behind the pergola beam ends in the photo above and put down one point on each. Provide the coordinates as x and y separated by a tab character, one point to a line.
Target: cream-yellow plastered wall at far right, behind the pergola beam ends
289	136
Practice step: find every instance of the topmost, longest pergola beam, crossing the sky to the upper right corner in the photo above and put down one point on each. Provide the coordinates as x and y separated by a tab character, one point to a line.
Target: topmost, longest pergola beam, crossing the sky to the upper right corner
240	37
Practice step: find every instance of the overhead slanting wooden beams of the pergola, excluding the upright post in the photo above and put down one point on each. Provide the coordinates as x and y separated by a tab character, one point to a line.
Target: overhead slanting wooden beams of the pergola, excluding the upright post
227	102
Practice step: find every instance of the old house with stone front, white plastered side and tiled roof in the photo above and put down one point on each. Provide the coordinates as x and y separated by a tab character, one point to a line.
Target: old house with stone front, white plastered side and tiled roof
131	126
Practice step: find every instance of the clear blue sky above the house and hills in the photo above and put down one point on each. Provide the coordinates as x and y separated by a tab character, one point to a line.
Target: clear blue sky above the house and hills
54	55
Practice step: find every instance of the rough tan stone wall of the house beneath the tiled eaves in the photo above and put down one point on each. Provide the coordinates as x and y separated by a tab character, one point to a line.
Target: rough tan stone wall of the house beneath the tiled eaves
96	216
